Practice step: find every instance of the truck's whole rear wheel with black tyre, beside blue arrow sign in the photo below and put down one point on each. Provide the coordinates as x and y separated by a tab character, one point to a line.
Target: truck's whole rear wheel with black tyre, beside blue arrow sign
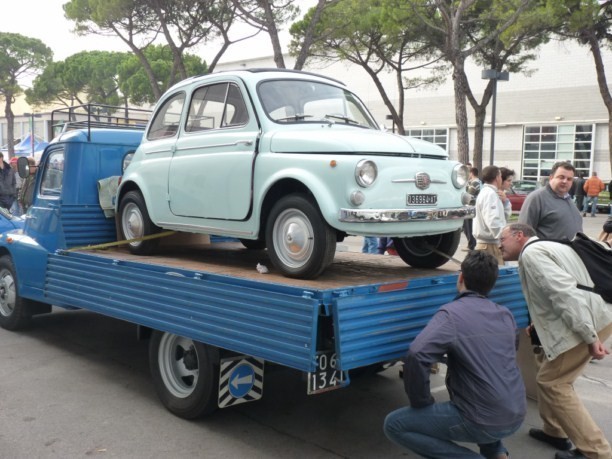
185	374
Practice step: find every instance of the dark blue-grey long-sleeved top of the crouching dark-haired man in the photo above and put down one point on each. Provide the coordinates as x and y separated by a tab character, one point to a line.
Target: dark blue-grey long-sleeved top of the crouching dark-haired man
479	338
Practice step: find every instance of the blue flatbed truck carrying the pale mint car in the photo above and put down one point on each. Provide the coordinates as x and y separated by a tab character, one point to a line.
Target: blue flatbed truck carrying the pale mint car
214	322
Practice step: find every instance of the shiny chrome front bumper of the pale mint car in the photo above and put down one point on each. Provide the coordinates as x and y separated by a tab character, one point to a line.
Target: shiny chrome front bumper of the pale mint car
404	215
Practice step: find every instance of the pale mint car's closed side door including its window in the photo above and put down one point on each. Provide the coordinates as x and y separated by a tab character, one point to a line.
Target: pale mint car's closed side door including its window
211	168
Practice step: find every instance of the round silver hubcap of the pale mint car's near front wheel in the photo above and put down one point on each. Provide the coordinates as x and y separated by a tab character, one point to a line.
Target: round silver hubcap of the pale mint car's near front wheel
293	238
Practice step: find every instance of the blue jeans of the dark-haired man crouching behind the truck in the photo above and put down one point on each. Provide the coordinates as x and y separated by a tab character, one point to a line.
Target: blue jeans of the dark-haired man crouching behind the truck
431	431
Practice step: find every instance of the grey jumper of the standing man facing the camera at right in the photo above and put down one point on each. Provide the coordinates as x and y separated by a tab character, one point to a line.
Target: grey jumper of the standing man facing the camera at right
550	215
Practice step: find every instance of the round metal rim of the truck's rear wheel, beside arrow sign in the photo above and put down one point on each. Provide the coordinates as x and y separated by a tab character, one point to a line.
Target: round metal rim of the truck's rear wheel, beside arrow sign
178	364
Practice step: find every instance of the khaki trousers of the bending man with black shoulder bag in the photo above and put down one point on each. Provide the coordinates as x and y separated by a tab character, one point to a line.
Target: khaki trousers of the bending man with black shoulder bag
561	410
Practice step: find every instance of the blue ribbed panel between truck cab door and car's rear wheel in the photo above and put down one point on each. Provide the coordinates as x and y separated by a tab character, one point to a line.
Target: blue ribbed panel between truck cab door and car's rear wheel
86	225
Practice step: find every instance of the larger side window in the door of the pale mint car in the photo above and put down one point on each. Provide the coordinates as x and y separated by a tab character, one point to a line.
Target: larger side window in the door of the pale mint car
216	106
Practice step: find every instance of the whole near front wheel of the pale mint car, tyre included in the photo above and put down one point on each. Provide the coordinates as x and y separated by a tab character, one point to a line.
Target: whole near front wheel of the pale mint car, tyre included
300	242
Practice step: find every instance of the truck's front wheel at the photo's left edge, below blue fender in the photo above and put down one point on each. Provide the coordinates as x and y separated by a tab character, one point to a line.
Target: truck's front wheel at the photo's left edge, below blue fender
15	311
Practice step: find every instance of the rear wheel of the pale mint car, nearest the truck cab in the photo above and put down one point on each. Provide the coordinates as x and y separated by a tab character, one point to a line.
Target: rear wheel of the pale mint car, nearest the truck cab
134	223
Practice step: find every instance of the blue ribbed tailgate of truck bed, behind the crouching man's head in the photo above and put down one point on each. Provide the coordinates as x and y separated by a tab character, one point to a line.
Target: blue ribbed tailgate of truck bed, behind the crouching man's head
378	326
